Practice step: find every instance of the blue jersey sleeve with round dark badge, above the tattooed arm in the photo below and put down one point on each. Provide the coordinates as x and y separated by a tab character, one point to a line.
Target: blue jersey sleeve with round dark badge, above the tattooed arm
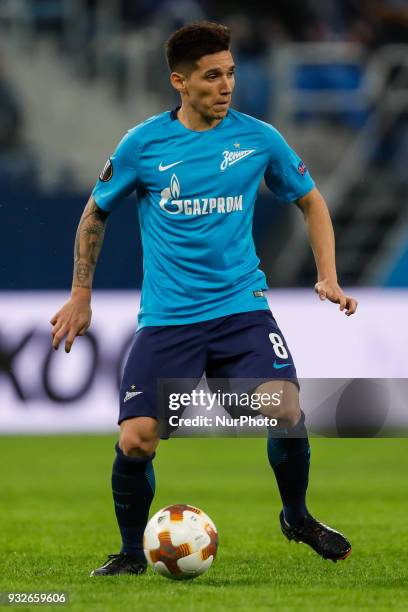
120	175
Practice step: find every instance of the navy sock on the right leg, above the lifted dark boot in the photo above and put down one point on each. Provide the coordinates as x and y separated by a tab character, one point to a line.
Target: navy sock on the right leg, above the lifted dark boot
289	458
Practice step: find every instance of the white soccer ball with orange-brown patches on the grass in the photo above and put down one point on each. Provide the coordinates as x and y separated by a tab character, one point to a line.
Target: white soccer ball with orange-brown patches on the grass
180	542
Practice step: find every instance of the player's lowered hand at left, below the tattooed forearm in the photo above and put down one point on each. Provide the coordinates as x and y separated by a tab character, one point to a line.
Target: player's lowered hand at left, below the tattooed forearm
72	320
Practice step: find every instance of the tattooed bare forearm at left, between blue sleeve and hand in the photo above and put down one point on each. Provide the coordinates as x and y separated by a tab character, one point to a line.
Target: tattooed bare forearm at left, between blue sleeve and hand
88	243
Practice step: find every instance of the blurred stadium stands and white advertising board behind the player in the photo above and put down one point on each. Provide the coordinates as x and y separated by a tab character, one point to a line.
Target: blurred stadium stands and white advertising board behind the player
332	75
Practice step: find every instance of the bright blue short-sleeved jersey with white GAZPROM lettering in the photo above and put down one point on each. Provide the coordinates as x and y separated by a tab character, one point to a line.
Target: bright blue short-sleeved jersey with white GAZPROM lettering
195	195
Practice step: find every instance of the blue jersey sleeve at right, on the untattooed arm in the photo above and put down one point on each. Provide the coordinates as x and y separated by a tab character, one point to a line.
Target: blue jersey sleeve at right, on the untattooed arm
286	175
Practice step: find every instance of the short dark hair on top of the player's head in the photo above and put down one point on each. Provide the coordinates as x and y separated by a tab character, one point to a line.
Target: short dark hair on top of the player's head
189	43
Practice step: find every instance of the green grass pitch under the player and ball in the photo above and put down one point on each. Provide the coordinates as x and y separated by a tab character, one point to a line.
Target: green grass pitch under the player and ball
57	523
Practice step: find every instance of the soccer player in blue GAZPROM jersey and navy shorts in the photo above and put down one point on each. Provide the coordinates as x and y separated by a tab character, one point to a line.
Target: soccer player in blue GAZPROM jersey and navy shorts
196	171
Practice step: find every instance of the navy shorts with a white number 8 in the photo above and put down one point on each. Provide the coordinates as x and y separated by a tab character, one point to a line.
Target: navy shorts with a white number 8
242	346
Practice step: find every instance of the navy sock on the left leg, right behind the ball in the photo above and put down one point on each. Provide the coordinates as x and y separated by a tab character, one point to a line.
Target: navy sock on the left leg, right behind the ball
133	486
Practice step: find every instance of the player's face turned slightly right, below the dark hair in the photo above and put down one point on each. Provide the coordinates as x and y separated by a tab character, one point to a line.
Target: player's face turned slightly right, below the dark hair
208	88
